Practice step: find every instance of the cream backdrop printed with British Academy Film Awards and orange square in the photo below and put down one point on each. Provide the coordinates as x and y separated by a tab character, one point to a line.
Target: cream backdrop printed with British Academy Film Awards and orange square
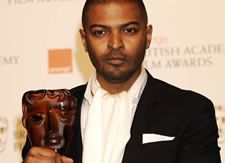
188	50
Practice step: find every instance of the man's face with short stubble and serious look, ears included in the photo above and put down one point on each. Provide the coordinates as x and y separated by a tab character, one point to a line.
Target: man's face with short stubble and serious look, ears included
116	38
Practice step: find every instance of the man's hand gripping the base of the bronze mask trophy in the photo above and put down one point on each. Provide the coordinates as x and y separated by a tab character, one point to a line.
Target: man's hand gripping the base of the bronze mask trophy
44	155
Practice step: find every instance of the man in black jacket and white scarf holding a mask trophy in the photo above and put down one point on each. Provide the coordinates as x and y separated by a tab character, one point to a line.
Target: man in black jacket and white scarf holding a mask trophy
124	114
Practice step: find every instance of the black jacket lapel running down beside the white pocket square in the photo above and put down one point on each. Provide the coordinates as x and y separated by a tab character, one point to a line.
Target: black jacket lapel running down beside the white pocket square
139	125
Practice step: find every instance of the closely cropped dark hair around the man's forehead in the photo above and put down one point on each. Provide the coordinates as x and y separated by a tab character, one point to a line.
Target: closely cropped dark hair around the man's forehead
88	3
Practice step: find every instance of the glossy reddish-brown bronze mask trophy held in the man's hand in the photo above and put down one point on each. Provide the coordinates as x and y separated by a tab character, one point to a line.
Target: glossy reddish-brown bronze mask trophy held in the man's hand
49	117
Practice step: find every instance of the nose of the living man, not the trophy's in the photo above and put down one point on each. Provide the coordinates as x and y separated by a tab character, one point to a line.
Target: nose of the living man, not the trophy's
115	41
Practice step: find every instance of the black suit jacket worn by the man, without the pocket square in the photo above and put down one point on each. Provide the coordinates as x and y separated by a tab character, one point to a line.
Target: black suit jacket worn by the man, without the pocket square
166	110
